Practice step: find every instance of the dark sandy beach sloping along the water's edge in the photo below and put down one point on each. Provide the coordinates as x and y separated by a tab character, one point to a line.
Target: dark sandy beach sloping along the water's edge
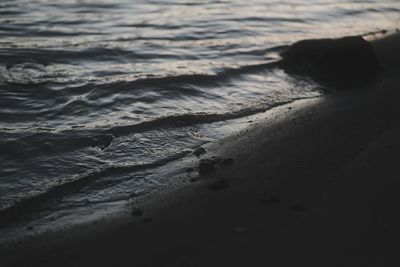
312	183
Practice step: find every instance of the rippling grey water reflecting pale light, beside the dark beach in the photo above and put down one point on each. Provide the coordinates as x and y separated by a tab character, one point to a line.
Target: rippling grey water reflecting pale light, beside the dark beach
100	99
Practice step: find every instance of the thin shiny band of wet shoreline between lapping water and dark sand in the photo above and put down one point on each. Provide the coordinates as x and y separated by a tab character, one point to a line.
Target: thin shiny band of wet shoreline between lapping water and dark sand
187	181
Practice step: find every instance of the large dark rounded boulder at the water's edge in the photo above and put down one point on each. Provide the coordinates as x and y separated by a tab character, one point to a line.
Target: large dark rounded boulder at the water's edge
342	62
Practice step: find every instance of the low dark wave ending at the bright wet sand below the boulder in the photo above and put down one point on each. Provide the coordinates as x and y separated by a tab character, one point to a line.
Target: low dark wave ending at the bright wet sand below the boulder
50	142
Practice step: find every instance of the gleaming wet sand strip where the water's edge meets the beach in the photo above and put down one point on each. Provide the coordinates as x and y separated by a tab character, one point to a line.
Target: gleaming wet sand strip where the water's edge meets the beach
187	176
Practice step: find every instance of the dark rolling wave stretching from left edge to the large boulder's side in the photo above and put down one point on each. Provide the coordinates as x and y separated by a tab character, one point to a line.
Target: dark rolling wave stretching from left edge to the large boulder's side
20	88
